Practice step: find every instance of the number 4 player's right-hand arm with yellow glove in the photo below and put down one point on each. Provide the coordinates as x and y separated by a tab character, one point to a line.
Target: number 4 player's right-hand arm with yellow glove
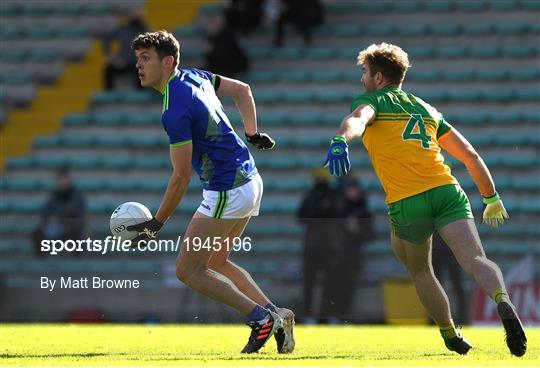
455	144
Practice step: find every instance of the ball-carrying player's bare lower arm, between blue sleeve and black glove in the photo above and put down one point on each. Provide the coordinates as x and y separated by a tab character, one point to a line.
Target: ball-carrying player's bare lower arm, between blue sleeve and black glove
178	182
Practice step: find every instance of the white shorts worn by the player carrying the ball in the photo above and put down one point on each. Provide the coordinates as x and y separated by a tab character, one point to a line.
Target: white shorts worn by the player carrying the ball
236	203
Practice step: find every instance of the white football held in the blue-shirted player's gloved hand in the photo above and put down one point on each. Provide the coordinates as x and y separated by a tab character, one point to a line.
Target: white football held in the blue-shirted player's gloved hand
129	213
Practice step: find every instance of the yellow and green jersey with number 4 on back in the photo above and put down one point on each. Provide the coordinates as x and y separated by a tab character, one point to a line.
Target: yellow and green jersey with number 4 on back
402	143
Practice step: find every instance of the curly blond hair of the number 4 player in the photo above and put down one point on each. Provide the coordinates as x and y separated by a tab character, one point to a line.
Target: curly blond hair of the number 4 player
388	59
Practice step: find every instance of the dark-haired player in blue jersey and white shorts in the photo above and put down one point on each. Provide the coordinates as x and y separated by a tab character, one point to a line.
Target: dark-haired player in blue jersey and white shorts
201	136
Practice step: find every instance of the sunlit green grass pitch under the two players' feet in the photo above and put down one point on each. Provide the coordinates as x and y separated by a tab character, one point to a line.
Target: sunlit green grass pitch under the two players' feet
218	345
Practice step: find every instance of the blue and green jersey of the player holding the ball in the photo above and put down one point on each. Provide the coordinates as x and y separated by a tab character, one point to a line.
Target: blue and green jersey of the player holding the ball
192	113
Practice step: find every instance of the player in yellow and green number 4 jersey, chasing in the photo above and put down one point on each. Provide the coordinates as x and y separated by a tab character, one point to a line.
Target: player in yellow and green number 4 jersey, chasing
404	136
